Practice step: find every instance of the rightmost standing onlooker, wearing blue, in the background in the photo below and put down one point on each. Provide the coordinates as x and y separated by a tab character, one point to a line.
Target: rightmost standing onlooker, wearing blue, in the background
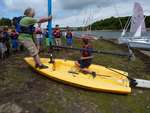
69	37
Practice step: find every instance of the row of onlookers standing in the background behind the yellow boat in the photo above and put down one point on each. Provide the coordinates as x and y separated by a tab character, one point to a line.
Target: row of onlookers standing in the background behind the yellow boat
9	39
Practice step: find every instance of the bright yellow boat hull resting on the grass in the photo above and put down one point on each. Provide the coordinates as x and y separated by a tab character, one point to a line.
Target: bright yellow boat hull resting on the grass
107	80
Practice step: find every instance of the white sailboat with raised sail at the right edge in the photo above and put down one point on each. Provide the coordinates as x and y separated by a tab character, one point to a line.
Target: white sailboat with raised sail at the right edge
136	38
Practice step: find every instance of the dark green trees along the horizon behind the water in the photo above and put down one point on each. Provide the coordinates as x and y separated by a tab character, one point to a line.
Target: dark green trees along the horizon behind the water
111	23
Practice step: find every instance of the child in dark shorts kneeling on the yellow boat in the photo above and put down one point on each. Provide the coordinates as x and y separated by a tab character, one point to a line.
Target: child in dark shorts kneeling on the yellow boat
86	58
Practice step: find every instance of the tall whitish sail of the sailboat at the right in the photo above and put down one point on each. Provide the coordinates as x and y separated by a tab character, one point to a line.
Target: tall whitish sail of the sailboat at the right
138	19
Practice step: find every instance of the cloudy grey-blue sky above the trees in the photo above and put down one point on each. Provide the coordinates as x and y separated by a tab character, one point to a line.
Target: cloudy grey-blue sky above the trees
73	12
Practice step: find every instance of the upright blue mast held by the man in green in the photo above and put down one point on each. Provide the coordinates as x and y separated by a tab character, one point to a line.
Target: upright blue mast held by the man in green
50	22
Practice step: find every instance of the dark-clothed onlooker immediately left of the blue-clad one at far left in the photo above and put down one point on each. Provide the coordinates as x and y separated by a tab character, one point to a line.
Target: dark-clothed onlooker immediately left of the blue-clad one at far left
6	41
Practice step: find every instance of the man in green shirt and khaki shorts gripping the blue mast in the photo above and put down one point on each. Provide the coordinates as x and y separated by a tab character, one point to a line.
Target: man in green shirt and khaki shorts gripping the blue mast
26	34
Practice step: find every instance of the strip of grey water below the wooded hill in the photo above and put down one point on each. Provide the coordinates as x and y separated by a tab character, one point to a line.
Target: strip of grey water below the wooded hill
105	34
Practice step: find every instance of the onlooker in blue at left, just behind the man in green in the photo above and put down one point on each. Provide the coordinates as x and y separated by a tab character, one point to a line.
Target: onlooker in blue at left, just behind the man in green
14	40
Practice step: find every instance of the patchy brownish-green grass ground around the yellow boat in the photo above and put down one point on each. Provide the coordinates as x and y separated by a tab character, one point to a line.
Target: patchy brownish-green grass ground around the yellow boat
37	94
